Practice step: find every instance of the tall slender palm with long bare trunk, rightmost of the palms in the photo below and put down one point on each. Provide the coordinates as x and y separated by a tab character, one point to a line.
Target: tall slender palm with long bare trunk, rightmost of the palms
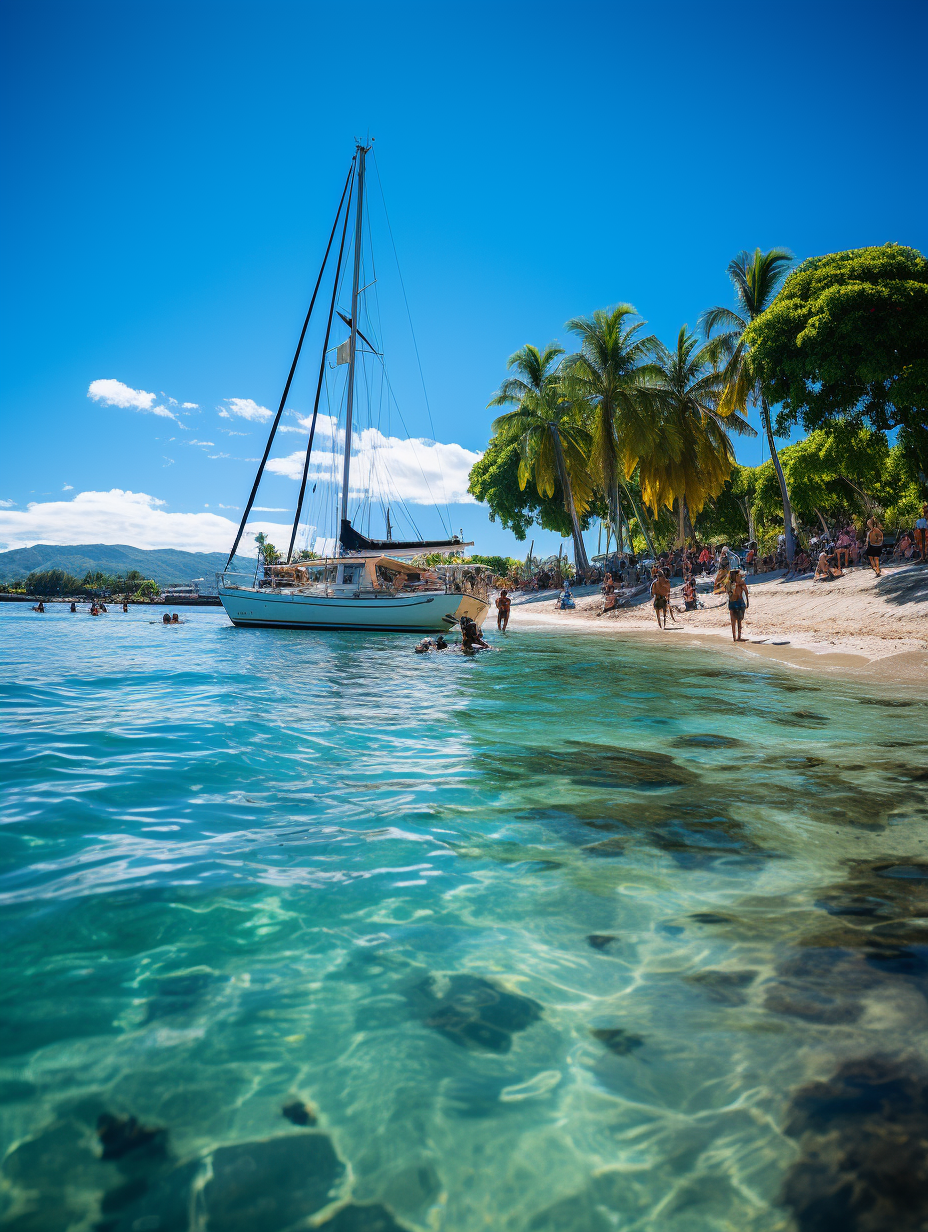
756	279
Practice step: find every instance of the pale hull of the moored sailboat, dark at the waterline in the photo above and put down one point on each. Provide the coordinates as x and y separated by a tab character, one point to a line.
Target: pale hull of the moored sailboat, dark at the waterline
394	614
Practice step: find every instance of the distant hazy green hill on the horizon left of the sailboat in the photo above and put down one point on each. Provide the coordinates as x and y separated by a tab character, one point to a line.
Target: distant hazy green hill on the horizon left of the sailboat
166	566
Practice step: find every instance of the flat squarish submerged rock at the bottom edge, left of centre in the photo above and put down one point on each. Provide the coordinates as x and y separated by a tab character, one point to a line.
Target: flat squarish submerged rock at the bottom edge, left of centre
267	1186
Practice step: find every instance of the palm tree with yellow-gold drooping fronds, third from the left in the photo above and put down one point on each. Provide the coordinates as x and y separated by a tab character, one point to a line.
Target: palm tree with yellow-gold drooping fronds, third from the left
693	459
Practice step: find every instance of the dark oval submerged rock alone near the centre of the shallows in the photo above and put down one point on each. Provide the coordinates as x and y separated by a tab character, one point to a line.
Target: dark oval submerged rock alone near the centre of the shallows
473	1012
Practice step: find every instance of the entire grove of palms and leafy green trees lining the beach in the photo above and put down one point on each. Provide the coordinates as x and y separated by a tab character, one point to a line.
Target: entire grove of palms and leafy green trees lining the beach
640	436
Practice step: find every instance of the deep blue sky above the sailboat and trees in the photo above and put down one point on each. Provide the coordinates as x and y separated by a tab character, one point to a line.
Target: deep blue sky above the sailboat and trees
172	172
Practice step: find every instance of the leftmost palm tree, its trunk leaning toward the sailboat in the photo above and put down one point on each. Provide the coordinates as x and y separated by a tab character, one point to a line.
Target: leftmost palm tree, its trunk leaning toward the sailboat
553	442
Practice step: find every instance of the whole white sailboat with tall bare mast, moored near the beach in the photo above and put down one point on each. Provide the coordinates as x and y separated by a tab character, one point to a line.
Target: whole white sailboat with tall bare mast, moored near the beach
367	583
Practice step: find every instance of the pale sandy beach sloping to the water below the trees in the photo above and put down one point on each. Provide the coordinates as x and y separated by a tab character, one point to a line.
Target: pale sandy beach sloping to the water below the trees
860	624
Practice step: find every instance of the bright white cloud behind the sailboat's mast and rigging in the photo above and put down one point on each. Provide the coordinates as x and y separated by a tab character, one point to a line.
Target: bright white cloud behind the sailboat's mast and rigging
418	471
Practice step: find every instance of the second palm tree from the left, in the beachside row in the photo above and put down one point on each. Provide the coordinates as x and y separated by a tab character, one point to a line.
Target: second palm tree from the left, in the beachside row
613	374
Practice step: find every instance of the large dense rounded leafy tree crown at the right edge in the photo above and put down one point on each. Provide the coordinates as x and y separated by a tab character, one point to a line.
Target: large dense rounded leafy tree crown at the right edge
849	336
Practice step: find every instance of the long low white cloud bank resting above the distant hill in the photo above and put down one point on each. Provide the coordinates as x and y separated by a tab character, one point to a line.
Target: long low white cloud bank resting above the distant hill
130	518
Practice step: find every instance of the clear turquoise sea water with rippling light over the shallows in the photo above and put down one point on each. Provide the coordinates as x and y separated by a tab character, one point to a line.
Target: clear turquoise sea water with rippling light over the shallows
243	868
